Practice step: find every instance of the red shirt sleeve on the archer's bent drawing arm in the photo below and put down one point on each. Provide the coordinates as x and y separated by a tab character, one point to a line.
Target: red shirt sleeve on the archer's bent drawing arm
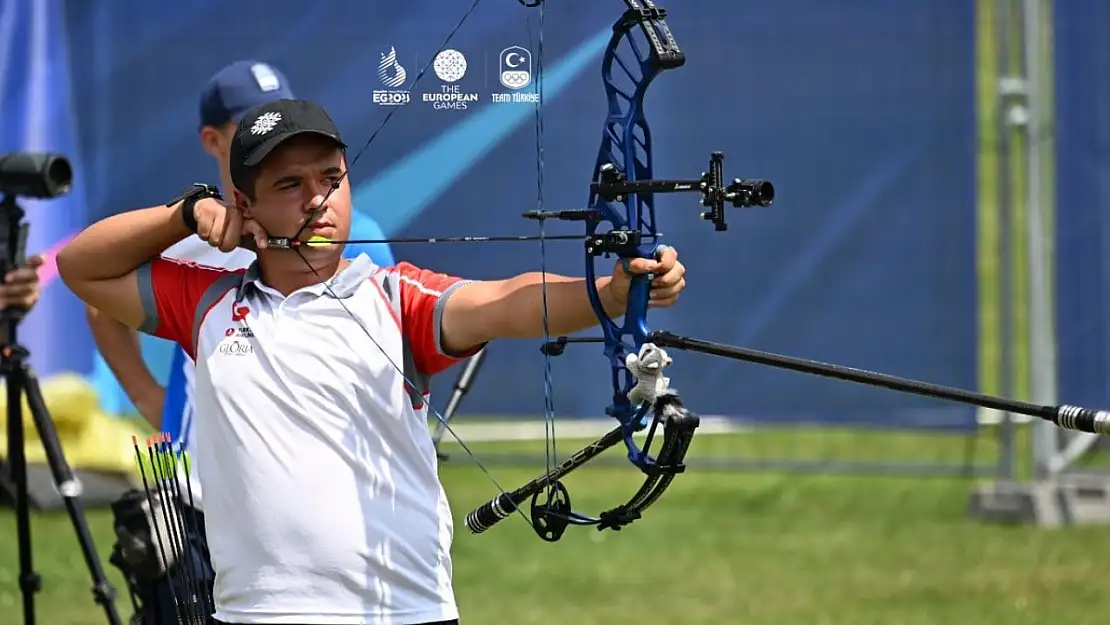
173	291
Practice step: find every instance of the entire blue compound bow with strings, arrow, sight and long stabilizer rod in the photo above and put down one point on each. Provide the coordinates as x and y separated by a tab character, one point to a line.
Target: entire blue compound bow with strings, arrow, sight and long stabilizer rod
620	221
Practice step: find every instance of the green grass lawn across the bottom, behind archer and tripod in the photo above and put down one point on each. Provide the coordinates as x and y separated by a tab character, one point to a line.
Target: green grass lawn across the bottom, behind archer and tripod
721	548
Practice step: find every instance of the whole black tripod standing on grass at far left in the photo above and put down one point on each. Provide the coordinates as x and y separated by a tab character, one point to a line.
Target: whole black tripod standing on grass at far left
22	382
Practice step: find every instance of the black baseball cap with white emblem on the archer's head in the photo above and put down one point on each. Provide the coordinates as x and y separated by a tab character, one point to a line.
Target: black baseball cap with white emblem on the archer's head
268	126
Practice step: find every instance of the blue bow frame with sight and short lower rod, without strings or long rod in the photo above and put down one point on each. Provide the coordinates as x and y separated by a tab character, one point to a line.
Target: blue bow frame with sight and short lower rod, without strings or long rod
621	223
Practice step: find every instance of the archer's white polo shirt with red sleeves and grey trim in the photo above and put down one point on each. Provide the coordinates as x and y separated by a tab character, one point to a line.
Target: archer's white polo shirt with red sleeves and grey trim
322	498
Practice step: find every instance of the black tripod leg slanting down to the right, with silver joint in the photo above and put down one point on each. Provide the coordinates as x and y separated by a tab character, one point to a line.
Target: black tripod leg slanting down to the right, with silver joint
68	487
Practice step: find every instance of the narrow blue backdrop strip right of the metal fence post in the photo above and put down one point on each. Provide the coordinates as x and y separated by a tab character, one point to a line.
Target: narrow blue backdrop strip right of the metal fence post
1083	277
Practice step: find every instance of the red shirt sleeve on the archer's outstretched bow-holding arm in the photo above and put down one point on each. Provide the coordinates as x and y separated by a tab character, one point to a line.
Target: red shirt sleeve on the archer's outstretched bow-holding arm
423	296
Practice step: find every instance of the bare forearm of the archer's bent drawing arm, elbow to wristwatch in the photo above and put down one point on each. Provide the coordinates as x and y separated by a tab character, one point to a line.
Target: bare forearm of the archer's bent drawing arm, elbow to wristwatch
117	246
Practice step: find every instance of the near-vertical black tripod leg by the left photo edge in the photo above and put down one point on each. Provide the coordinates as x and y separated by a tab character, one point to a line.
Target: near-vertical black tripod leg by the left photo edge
29	581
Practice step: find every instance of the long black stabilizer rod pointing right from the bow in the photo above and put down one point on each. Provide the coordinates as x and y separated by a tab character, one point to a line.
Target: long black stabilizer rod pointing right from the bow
1068	417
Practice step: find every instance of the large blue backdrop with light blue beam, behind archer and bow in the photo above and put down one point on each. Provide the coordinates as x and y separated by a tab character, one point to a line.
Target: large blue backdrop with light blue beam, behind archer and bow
862	114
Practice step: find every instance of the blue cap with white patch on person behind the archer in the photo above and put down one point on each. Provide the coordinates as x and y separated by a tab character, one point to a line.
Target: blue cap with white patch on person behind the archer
239	88
